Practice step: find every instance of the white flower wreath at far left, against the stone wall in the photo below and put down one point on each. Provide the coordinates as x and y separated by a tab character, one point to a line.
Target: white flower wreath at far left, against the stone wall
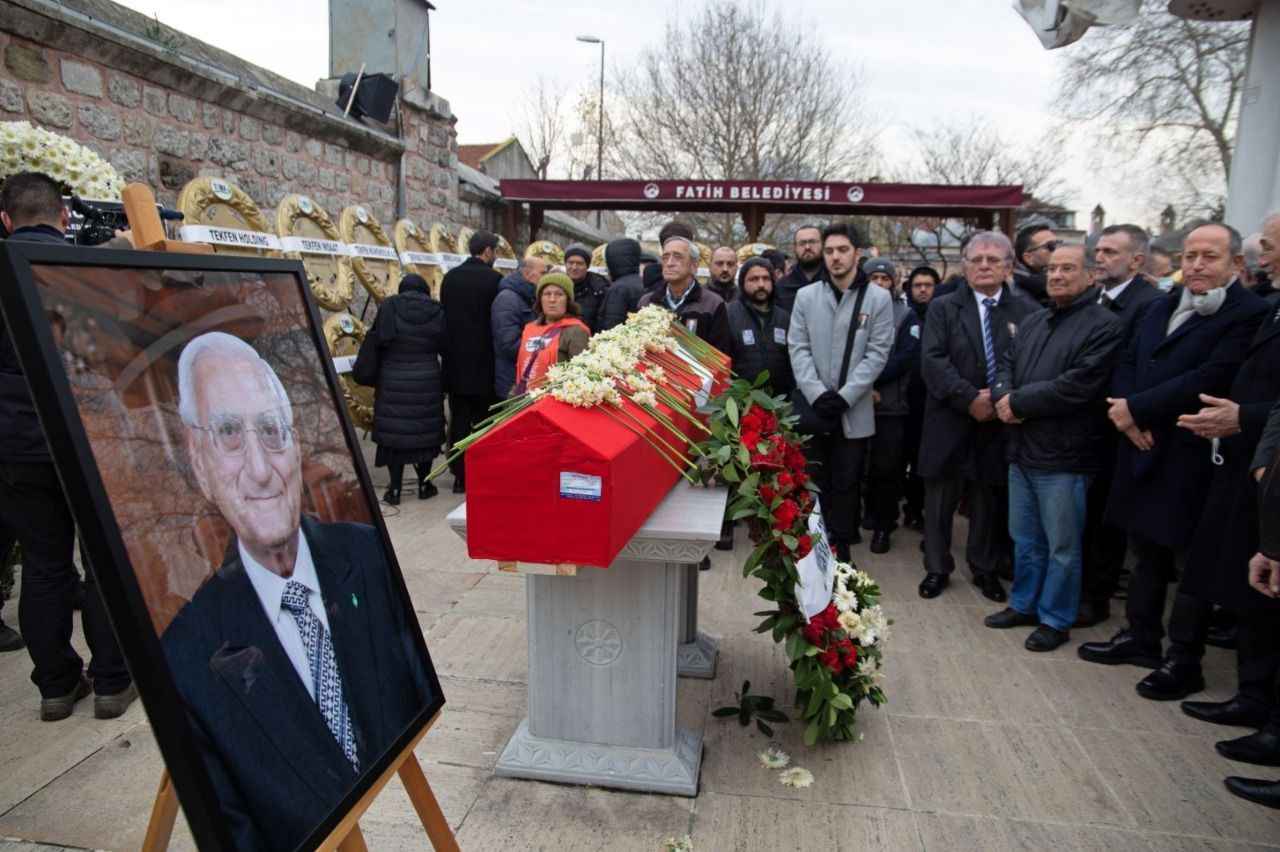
33	149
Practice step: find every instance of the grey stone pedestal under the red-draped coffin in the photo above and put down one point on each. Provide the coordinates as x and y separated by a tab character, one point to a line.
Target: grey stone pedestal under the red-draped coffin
602	659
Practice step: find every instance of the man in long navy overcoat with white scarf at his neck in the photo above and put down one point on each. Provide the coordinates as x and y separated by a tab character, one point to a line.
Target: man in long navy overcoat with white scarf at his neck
1187	346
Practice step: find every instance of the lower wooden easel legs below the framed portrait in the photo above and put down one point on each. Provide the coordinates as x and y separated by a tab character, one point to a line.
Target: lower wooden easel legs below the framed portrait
346	837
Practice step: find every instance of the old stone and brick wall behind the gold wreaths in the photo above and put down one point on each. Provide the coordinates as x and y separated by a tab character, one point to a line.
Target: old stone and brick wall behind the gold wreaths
164	108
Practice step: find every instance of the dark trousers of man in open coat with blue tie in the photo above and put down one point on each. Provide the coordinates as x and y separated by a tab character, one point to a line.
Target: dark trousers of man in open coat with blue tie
989	525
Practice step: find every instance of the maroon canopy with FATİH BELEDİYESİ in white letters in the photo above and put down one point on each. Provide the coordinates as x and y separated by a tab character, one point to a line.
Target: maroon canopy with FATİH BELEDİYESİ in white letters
753	200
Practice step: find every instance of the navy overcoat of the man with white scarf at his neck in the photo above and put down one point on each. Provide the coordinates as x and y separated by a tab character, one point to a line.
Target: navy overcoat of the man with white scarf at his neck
1160	493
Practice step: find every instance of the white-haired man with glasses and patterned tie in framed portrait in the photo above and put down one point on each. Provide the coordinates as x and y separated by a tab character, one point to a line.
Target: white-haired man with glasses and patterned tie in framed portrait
296	661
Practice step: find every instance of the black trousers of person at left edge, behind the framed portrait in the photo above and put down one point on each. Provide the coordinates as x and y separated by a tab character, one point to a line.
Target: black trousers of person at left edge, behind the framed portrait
33	505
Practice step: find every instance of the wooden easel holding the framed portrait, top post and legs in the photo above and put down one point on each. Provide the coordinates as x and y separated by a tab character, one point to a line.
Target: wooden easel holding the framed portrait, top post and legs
148	235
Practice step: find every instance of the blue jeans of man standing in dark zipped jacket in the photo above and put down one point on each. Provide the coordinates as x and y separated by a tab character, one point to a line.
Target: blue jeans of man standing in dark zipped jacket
1046	521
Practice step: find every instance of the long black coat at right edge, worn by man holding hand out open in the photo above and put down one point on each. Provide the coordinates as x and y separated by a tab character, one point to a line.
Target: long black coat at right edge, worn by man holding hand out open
1228	533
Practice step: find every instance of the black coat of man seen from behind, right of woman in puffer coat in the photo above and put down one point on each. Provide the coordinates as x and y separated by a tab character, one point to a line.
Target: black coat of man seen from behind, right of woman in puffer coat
467	297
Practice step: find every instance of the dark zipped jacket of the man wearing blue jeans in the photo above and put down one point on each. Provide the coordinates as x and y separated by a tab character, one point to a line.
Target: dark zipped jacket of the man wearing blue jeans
1057	373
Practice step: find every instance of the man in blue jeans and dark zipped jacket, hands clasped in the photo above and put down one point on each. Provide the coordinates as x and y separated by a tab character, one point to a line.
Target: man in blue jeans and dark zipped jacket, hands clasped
1049	393
